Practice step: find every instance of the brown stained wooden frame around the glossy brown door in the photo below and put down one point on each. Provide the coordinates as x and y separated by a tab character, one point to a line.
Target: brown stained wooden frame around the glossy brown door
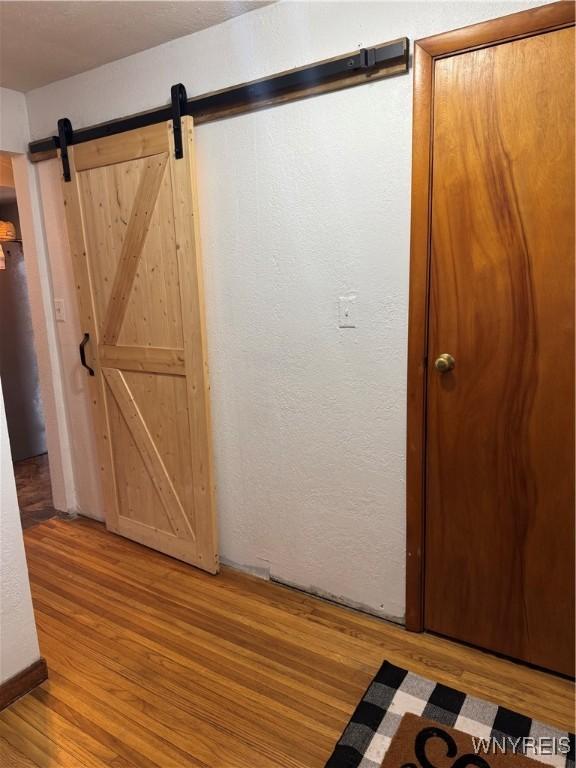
544	18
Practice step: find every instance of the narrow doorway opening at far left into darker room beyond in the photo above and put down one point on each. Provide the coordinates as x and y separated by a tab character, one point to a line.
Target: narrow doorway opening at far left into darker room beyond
18	364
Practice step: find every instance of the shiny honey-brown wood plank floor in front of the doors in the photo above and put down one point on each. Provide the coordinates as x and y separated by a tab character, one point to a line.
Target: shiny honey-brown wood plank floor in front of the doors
153	663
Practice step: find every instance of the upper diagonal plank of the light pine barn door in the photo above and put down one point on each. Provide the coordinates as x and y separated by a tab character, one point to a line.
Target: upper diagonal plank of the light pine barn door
136	232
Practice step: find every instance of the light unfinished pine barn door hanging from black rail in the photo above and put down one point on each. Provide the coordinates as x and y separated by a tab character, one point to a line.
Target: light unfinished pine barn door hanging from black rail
133	227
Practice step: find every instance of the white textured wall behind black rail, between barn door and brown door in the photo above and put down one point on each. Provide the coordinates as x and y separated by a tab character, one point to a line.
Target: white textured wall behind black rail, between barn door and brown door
300	204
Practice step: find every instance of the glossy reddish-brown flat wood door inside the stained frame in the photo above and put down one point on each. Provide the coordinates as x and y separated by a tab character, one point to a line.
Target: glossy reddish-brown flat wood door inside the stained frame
499	556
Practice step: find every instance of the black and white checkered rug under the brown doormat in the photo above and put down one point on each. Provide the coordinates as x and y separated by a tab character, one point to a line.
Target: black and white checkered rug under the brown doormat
395	691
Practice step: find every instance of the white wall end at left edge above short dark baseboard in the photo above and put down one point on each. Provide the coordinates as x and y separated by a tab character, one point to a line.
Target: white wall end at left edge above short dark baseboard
18	640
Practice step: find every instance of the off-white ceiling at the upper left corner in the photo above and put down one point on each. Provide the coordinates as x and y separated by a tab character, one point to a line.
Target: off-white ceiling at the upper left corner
44	41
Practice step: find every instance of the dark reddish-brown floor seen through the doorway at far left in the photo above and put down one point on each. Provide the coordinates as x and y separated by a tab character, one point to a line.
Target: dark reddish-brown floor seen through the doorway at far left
34	490
